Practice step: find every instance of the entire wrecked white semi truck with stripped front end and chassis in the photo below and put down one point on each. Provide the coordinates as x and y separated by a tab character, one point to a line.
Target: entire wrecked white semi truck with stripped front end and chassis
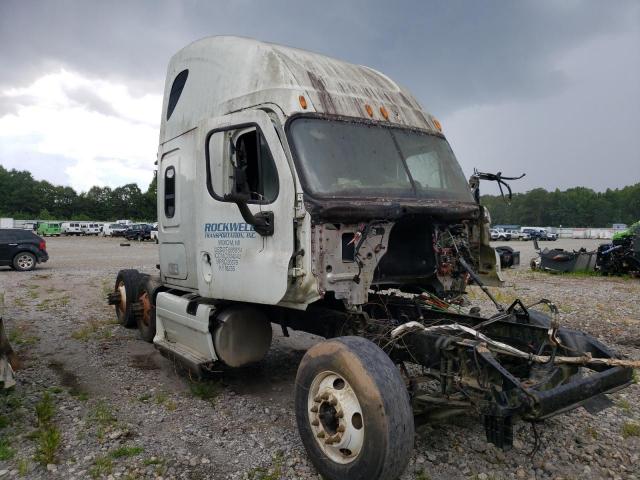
302	191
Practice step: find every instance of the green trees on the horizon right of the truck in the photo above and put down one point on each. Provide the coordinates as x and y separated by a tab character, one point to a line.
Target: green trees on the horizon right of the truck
574	207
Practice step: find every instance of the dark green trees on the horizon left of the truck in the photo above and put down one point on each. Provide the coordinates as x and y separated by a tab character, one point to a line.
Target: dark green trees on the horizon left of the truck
22	196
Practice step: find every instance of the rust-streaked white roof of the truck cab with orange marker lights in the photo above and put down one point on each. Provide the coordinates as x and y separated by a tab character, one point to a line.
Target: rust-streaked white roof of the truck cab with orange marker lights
248	73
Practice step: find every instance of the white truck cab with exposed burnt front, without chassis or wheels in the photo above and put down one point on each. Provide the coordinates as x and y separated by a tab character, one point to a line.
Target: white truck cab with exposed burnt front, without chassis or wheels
285	176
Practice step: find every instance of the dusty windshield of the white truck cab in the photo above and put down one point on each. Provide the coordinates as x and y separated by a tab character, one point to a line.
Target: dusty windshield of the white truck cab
341	158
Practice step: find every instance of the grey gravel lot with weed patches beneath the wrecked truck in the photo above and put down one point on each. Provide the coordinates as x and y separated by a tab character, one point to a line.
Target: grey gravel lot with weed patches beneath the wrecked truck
123	411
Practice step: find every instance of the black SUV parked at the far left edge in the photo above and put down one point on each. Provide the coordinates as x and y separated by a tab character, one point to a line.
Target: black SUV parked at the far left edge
21	249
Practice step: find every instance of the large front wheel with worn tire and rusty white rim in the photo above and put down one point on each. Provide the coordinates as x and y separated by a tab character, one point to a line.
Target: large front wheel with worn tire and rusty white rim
353	411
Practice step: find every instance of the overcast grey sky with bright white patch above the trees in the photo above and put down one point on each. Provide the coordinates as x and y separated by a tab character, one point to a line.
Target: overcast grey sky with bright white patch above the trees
550	88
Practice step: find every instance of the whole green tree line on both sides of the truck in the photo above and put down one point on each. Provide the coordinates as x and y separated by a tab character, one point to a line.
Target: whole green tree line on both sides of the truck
21	196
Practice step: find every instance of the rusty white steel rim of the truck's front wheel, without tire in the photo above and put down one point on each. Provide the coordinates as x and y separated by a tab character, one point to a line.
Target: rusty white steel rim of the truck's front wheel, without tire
335	417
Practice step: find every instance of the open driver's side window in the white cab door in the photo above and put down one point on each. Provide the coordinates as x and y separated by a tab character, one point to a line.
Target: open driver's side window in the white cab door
240	163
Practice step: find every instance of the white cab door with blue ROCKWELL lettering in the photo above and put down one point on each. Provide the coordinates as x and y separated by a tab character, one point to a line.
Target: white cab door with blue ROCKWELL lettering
246	210
